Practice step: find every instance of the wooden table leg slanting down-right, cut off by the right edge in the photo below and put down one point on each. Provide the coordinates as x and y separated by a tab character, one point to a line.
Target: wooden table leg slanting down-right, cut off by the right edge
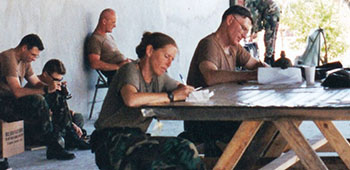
335	139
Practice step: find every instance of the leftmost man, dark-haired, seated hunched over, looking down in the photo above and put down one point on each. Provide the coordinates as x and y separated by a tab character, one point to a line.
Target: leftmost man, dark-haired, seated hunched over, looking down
28	104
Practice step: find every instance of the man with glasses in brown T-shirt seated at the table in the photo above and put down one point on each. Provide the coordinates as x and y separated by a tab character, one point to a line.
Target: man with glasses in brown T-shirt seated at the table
214	62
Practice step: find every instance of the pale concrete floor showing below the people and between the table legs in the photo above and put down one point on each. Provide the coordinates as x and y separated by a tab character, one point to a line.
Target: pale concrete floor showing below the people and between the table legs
36	160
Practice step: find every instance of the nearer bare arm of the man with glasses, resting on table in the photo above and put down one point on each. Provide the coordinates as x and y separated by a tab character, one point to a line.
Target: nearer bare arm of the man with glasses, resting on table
214	76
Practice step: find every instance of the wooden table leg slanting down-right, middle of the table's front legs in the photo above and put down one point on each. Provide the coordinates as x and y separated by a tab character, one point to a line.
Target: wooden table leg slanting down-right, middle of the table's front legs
299	144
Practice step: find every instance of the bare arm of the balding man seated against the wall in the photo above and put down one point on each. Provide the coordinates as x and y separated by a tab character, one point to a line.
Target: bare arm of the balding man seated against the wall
96	63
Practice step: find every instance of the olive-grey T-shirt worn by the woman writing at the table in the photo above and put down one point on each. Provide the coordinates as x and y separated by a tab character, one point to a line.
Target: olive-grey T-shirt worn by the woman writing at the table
115	113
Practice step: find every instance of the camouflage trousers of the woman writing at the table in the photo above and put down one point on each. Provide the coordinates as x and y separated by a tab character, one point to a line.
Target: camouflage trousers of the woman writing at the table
132	149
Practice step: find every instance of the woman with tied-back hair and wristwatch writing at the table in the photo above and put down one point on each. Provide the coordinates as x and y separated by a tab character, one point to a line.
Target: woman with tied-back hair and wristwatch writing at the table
119	140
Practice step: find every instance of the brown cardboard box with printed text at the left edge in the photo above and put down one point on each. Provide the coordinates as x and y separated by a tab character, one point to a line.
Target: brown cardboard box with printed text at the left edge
12	138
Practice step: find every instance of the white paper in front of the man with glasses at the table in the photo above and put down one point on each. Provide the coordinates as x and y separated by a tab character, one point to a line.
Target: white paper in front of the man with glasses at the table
276	75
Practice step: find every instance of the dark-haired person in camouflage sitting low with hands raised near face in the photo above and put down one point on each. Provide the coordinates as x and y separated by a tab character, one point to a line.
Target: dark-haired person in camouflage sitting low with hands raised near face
66	122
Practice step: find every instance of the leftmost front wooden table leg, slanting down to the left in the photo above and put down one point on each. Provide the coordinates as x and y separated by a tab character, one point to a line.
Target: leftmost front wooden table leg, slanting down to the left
238	144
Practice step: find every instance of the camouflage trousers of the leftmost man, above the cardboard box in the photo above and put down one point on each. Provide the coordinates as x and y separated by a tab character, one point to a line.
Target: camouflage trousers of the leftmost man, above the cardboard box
33	109
